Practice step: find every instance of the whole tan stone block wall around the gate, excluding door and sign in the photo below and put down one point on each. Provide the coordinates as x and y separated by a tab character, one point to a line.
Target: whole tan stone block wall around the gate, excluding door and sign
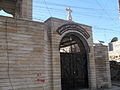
30	56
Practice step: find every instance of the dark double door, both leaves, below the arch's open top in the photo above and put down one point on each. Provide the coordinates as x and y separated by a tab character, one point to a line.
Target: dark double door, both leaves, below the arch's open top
74	73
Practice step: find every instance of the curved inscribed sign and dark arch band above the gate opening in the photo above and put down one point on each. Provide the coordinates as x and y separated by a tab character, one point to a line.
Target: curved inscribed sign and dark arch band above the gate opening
76	30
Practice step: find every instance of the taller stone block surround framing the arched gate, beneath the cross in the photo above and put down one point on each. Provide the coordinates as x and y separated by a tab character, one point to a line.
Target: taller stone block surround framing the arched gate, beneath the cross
53	24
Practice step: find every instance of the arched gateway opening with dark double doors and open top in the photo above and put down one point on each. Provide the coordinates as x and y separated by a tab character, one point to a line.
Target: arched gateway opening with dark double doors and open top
73	56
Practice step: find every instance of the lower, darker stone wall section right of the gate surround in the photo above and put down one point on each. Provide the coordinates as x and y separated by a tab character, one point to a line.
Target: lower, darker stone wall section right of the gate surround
102	66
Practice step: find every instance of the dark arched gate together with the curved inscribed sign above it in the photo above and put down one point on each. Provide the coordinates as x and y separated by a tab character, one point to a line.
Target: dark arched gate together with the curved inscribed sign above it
74	51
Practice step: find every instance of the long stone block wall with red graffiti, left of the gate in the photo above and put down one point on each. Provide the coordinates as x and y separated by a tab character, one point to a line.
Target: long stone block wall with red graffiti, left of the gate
23	55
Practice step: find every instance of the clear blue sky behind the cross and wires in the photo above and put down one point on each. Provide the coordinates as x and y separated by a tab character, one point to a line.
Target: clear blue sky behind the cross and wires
102	15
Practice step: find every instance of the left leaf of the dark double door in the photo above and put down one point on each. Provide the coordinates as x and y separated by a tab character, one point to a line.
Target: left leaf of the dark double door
66	69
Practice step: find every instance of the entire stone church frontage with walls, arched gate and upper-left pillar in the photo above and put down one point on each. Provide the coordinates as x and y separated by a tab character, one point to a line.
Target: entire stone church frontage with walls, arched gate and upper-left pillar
52	55
